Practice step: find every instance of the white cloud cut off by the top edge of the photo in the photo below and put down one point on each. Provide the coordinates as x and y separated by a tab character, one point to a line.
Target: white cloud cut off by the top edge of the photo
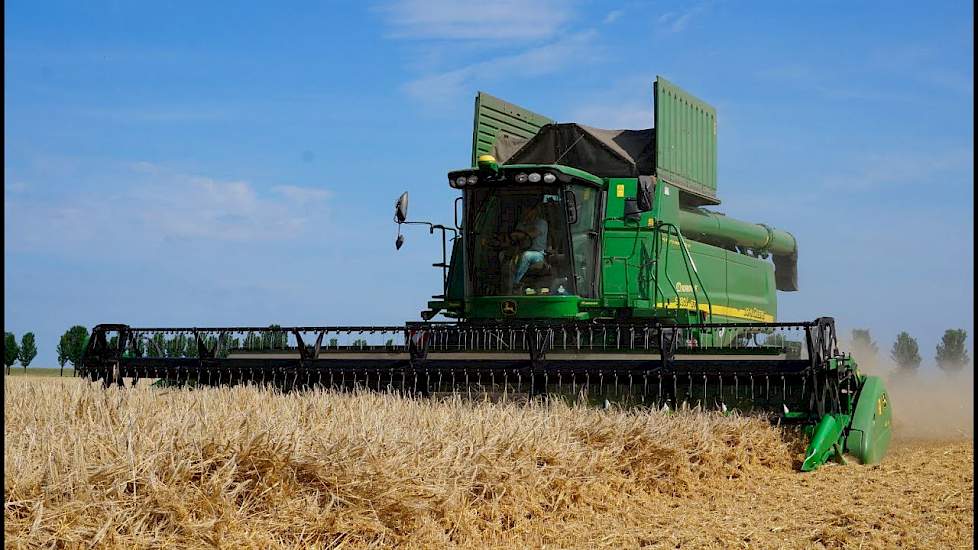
461	20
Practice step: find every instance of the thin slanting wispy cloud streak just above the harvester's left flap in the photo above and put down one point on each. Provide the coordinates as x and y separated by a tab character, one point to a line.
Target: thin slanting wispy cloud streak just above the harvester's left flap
555	56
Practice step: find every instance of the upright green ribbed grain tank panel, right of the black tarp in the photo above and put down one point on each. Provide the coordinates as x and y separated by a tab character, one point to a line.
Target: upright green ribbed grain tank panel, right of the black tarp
685	141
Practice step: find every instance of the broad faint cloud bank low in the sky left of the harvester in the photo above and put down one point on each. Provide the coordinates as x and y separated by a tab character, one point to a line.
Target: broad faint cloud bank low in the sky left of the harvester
155	204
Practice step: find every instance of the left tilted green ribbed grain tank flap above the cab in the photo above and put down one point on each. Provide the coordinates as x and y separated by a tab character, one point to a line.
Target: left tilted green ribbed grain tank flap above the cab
495	117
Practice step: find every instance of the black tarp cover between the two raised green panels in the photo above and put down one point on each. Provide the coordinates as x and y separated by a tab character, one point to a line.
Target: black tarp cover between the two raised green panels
604	153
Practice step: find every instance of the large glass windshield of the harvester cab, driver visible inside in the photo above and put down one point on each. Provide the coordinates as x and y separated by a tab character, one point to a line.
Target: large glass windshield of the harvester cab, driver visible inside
521	241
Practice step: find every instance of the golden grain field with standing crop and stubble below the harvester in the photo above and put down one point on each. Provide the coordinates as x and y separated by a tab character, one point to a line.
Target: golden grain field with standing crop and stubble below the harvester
245	468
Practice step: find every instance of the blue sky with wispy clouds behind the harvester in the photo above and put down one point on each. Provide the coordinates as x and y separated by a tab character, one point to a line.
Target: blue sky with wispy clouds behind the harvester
185	163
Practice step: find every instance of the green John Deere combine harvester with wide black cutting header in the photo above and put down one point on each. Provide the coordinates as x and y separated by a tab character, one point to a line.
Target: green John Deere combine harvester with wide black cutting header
582	263
